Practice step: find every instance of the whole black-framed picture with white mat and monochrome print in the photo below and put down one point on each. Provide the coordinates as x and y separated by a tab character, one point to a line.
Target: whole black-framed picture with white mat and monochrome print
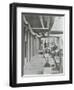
45	22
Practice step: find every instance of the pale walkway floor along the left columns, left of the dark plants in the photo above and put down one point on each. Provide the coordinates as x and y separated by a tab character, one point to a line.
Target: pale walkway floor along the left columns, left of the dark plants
35	66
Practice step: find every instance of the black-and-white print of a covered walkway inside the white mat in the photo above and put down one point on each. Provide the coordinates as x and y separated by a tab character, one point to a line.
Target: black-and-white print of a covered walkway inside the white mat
42	44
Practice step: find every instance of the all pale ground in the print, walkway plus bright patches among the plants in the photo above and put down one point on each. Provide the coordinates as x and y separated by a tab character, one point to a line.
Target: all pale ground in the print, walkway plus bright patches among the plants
36	66
